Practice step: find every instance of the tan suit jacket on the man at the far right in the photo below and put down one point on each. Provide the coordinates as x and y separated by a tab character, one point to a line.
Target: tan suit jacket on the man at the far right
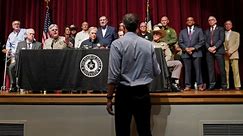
232	44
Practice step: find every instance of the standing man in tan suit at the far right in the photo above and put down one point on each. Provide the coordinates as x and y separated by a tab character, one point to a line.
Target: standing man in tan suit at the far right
231	45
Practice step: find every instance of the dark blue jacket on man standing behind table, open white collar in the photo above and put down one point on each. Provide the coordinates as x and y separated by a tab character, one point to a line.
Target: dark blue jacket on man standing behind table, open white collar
110	36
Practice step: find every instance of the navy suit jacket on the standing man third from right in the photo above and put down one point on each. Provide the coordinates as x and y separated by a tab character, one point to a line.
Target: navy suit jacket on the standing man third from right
196	41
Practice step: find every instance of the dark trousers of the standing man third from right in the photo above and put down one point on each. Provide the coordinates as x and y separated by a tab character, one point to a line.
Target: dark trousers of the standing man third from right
188	69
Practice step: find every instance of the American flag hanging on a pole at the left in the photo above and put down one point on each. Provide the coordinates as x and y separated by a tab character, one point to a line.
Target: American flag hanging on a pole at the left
47	23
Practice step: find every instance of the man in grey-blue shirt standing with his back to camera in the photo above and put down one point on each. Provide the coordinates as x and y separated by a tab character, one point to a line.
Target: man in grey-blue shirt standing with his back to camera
132	67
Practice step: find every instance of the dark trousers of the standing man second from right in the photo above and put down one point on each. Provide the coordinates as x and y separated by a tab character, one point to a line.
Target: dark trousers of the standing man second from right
211	63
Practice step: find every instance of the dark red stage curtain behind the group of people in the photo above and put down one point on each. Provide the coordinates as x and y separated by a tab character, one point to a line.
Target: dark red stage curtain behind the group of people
31	13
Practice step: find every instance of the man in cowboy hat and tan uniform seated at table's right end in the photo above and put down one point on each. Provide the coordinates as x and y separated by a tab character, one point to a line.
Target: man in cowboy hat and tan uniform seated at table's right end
176	65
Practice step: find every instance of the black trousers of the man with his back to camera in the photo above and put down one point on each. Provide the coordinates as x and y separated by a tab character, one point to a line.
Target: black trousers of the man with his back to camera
132	101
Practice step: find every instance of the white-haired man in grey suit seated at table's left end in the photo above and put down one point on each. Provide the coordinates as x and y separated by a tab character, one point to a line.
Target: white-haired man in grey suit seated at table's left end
28	43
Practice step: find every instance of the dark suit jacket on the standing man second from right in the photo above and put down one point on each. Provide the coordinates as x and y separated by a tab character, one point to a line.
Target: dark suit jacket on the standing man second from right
218	39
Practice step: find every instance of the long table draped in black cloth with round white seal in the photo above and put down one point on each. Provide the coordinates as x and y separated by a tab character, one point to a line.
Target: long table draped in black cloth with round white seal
73	69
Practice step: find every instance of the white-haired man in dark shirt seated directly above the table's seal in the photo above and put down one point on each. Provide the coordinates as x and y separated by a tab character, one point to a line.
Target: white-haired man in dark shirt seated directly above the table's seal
92	42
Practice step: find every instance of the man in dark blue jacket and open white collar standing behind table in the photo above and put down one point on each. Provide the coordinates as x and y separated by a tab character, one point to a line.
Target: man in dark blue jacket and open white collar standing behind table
106	34
